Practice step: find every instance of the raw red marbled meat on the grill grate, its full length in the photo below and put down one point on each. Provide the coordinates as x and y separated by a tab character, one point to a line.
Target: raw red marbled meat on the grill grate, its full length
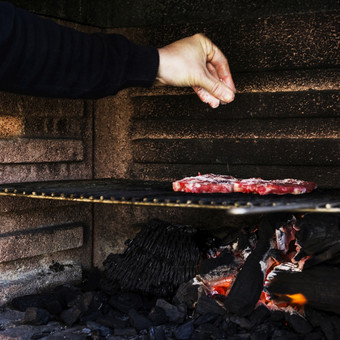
211	183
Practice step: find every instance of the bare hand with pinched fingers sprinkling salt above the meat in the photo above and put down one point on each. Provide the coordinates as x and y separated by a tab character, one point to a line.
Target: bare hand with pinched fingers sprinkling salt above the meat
195	61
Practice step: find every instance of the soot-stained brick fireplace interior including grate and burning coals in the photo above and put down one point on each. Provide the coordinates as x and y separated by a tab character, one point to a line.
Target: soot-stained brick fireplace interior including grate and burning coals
95	244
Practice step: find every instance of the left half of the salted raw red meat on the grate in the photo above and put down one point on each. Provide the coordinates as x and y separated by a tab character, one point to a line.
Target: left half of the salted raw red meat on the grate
208	183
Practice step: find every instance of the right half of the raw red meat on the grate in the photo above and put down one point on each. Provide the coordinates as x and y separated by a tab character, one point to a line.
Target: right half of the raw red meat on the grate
276	186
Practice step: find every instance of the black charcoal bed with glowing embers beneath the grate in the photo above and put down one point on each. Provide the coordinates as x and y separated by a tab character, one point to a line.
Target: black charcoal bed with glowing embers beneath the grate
277	279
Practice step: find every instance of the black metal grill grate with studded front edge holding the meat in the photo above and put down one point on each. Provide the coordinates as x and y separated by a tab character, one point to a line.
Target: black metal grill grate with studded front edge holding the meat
160	194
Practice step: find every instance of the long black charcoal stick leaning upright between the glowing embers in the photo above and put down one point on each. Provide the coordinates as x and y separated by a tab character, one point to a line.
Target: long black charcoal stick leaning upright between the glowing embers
248	285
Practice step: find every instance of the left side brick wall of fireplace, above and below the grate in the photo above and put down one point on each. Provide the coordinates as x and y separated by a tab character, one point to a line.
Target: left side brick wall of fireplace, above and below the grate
43	139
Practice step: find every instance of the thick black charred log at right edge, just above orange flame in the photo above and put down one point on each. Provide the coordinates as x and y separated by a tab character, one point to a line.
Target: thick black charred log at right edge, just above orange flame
318	284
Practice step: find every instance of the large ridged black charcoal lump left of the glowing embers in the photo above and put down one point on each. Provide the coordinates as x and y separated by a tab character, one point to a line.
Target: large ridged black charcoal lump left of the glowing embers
156	261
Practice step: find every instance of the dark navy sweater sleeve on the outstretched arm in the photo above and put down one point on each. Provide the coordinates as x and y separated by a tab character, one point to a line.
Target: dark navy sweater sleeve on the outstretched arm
40	57
